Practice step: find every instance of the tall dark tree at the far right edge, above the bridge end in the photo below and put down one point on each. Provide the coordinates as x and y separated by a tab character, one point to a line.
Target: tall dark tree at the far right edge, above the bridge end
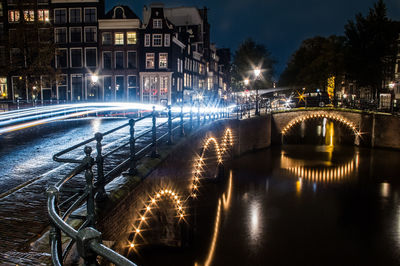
371	48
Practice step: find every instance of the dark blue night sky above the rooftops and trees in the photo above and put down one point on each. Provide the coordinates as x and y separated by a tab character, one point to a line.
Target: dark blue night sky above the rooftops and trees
281	25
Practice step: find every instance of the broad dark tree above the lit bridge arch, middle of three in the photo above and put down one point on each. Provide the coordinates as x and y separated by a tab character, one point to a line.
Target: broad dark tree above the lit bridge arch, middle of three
316	60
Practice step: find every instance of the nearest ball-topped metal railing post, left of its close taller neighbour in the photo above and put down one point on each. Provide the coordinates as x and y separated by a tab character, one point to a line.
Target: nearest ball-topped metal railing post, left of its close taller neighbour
90	207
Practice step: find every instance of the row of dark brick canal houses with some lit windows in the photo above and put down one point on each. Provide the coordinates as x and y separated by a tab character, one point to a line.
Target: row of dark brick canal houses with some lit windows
165	57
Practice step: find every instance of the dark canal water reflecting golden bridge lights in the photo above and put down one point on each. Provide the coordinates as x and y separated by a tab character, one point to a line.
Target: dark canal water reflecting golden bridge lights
295	205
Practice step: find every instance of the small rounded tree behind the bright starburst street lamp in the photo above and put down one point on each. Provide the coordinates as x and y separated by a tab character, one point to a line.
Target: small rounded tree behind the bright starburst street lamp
247	57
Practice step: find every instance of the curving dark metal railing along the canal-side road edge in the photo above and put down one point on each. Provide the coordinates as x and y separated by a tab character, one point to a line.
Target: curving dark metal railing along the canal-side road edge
65	202
